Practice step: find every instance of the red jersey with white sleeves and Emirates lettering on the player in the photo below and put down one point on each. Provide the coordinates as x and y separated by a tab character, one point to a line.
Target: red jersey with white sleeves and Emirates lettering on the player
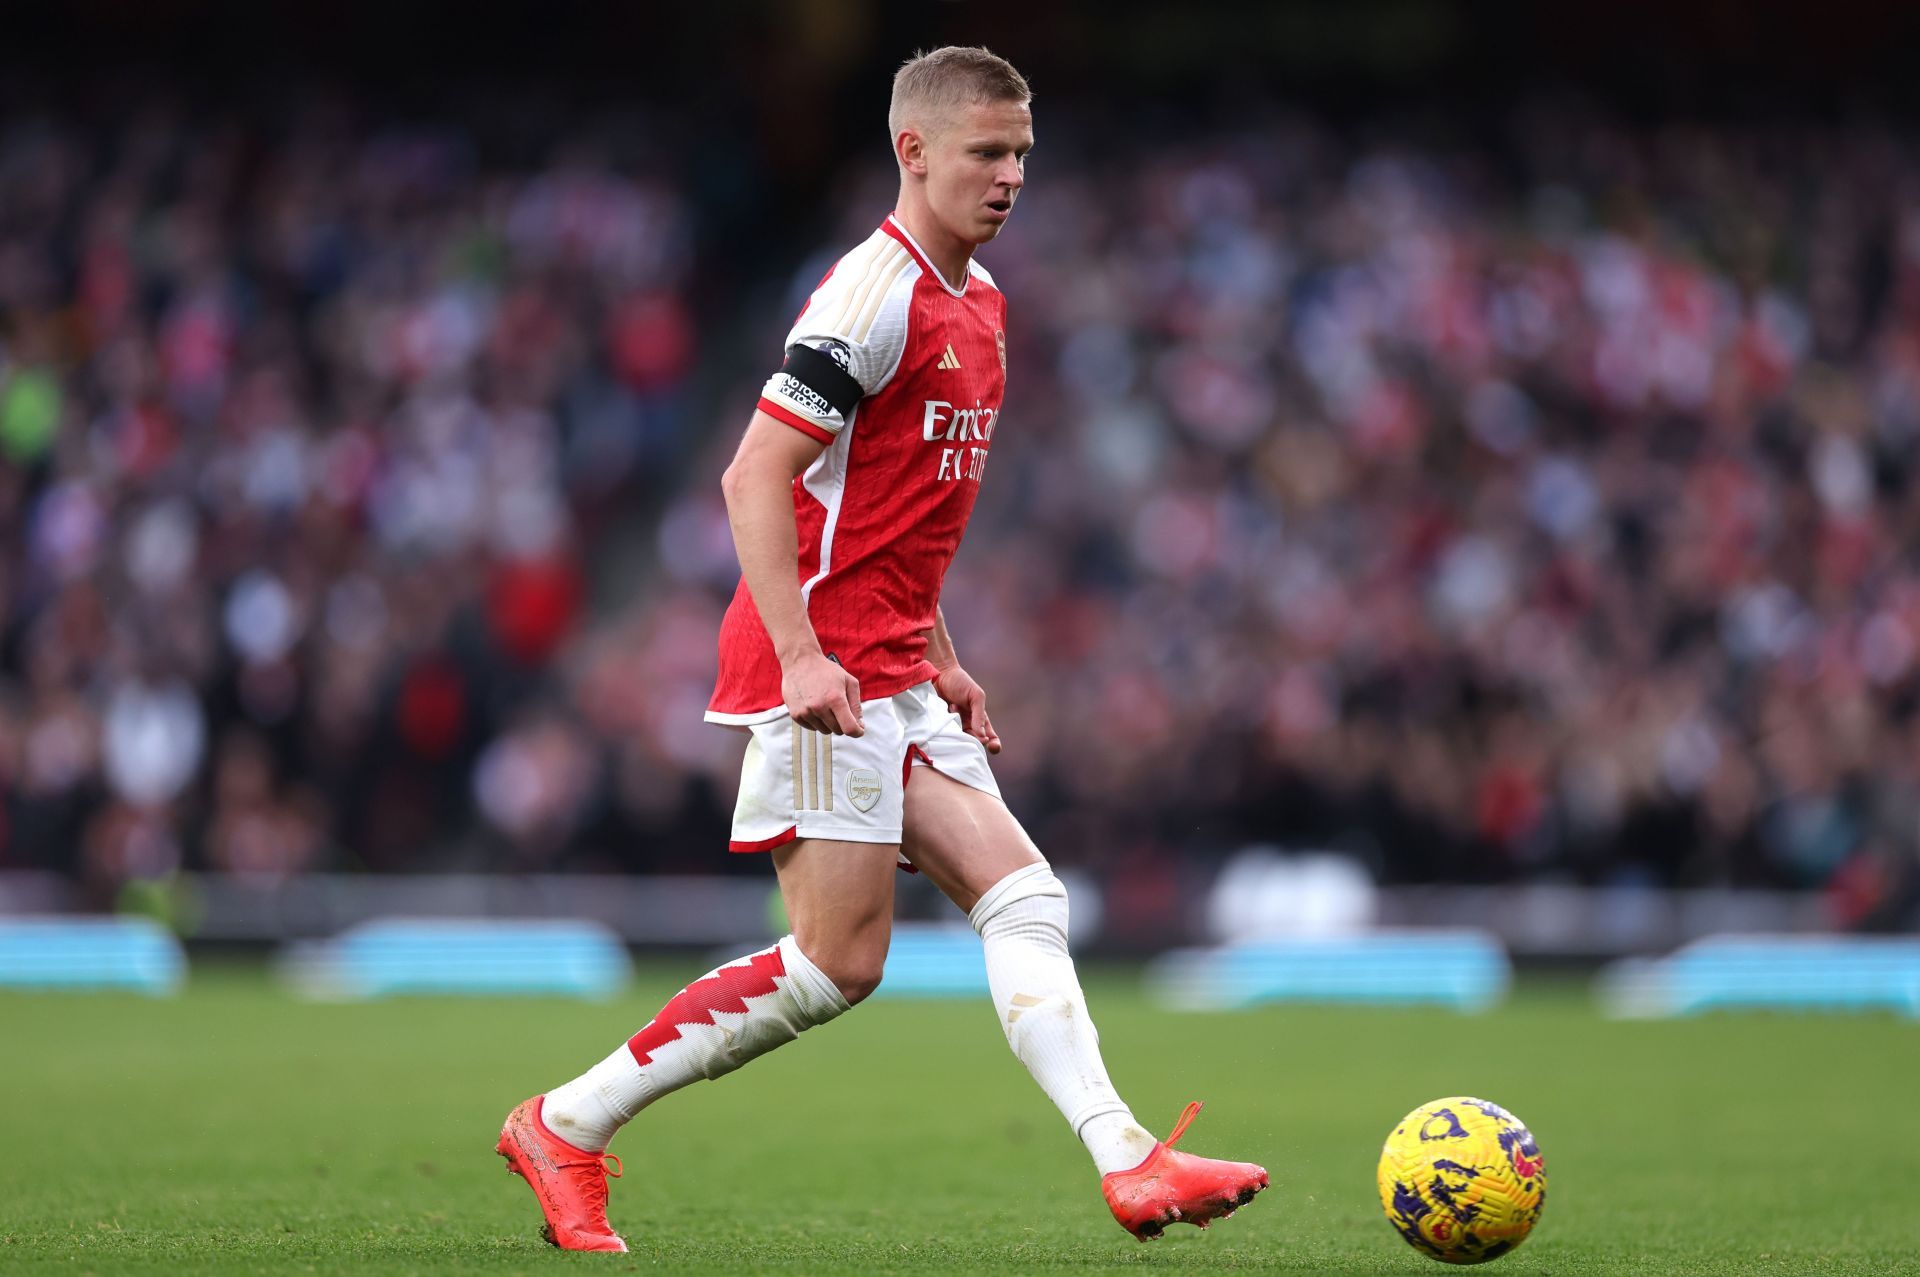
880	514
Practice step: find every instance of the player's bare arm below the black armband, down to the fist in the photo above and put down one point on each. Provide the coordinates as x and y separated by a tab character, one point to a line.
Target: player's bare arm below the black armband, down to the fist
759	508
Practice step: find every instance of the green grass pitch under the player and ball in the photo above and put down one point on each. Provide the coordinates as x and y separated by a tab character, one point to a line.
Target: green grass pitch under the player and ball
239	1132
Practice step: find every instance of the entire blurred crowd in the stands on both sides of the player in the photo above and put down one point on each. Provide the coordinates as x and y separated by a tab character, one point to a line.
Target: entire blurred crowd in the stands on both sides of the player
1489	508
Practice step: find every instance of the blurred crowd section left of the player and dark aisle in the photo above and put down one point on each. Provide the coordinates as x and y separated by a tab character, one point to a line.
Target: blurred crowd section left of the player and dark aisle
308	439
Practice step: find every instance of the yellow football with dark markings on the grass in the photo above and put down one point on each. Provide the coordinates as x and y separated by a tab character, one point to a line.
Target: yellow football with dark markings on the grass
1462	1180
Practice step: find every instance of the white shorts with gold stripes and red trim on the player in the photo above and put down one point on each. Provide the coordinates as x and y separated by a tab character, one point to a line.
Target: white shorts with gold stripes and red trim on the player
850	788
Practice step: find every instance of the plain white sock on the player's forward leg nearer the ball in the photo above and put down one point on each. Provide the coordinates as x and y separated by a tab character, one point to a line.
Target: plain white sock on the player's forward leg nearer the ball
1022	925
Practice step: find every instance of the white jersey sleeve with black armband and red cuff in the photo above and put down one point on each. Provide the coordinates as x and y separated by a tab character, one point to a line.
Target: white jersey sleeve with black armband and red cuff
848	341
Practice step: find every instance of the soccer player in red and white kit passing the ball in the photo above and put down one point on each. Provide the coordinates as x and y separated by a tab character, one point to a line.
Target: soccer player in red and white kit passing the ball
867	736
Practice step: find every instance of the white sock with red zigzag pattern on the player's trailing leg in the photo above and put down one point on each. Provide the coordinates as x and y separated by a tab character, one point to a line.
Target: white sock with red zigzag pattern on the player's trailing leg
709	1028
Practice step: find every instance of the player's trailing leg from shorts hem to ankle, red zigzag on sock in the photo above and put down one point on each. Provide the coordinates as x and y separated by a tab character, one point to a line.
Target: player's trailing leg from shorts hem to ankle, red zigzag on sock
840	902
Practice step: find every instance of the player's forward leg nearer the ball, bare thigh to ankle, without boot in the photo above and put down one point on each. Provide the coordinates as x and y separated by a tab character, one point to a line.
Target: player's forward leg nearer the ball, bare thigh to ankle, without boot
972	848
